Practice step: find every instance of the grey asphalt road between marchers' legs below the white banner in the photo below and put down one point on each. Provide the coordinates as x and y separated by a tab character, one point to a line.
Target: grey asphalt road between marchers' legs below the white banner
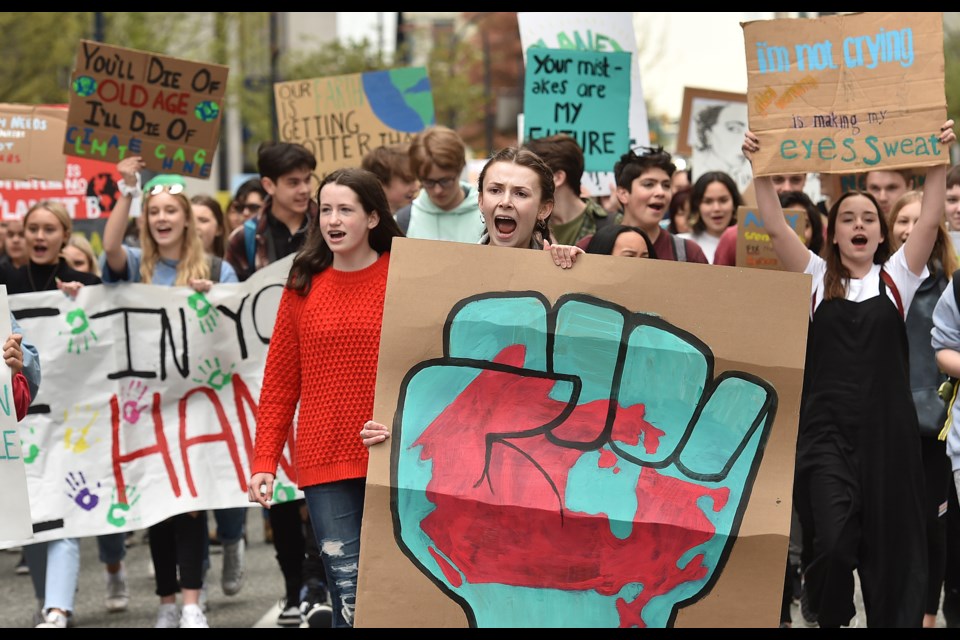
254	606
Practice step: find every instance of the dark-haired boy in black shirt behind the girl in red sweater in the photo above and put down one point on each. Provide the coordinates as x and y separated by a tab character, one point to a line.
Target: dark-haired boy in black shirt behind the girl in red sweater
286	171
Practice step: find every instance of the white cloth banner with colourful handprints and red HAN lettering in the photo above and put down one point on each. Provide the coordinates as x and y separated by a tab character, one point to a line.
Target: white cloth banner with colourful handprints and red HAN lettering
148	402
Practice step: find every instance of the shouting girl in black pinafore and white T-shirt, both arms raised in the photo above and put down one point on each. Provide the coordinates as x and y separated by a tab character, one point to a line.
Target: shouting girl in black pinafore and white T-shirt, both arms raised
859	480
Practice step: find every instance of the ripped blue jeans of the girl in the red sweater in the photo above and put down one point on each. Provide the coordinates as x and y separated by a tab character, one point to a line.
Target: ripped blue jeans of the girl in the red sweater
336	509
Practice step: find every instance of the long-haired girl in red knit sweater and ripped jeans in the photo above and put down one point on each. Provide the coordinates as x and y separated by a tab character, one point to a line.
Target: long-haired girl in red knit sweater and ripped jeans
323	357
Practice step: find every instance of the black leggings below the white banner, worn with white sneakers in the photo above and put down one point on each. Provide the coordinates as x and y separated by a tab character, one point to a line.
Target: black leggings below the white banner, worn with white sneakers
178	543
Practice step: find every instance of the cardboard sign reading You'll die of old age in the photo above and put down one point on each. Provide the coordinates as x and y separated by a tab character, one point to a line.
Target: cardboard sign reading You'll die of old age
126	102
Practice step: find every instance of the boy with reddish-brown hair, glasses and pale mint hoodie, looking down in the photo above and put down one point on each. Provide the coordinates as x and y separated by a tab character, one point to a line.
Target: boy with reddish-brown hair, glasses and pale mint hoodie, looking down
446	208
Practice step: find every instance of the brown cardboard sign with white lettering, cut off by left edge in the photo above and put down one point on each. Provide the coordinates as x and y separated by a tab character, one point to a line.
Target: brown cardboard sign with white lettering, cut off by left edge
30	142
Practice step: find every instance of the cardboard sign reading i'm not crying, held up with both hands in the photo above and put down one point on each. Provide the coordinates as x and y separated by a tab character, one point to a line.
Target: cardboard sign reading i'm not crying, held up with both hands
846	93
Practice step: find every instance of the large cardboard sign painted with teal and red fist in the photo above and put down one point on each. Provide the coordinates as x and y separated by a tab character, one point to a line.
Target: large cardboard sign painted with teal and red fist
583	447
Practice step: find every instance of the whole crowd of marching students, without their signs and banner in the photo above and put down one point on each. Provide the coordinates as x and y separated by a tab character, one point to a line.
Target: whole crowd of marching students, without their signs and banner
881	262
